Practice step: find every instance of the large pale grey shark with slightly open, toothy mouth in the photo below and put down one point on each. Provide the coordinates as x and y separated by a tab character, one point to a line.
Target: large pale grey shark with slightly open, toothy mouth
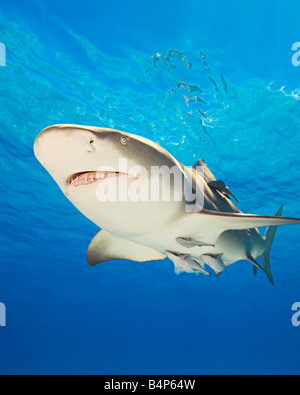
198	227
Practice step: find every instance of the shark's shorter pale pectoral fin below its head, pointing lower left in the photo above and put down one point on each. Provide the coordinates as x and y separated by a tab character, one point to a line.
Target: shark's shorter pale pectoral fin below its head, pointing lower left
106	246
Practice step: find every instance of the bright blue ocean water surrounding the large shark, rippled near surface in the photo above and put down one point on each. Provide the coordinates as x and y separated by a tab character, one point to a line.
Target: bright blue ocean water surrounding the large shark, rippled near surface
92	63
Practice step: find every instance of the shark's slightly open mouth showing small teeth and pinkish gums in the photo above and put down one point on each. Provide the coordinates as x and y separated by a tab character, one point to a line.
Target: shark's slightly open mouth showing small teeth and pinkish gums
88	178
